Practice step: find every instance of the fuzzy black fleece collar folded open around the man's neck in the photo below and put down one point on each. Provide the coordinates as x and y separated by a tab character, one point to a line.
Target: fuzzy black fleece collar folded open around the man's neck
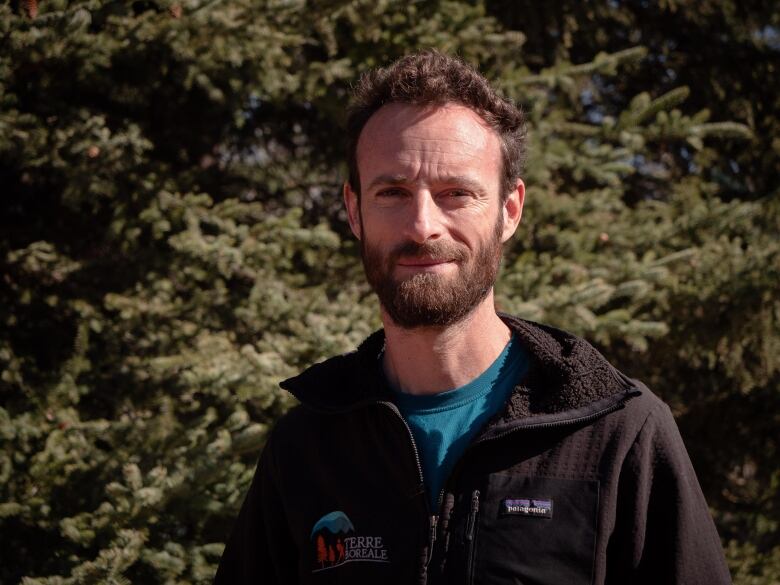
567	377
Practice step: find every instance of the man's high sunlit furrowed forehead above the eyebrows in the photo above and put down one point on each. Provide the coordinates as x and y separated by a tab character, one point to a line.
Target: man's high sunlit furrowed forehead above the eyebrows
428	141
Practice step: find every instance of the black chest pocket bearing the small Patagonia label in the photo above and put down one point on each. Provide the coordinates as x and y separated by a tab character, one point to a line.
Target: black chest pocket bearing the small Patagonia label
535	531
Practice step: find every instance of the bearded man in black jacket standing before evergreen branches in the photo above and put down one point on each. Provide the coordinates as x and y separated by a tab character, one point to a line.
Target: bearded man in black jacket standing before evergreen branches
459	445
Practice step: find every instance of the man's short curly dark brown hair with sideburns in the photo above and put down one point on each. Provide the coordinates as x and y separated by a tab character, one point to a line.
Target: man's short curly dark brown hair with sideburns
433	78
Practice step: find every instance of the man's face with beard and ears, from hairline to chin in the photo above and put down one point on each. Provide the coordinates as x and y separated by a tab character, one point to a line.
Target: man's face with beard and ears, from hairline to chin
430	219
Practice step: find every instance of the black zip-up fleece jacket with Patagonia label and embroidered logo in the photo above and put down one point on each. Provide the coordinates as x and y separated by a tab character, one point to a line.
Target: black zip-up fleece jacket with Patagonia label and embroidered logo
582	479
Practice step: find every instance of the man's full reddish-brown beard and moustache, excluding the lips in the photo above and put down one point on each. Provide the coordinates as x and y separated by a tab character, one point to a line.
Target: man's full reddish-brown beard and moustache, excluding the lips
427	299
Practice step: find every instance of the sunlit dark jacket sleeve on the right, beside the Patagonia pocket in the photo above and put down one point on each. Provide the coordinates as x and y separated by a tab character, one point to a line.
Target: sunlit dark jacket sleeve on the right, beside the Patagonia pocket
665	531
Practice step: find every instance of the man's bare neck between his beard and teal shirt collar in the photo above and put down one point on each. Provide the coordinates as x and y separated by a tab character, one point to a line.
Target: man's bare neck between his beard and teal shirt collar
428	360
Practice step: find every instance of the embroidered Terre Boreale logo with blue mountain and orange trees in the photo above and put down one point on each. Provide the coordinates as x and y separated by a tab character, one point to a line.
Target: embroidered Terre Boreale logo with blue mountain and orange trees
336	543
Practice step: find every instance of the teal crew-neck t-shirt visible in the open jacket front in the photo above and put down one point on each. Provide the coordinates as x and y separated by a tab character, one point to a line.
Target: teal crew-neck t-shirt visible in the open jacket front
444	424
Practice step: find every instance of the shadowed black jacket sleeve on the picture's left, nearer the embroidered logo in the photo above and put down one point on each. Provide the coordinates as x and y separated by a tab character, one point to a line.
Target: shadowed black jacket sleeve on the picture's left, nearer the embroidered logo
260	549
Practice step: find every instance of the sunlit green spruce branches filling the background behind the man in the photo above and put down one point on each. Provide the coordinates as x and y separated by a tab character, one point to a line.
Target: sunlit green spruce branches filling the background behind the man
173	246
